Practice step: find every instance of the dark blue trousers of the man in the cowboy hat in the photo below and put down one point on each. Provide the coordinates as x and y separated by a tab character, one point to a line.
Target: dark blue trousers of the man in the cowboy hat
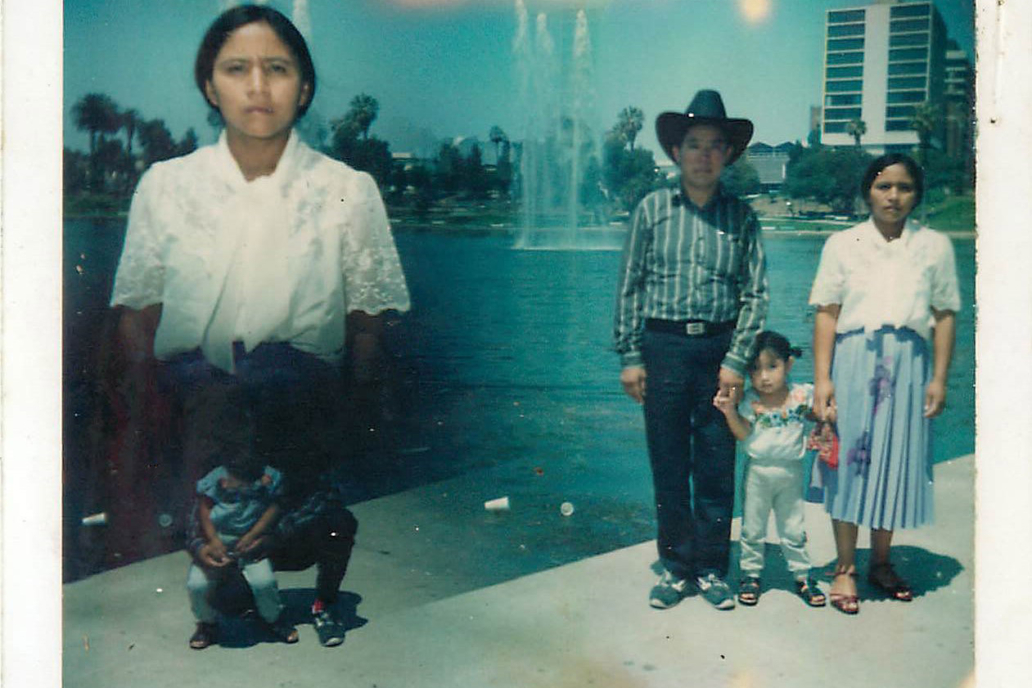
692	452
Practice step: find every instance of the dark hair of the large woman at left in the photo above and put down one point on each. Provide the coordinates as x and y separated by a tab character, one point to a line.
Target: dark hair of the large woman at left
233	20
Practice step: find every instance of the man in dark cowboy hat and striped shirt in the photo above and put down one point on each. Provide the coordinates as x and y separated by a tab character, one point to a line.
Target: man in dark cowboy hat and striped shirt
693	298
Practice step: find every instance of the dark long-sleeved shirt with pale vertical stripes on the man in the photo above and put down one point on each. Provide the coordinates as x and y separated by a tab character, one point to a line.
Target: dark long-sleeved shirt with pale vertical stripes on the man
683	263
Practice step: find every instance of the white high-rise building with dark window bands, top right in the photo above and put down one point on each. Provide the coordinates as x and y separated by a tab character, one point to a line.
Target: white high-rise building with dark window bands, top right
882	62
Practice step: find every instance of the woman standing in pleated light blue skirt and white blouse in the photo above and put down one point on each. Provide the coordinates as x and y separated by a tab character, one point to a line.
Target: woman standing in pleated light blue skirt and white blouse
887	296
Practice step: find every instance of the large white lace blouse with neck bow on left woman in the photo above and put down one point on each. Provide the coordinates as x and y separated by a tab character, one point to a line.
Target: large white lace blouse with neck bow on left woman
282	258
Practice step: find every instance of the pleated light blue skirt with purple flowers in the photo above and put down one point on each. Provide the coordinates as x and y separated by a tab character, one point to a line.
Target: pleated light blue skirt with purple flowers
884	479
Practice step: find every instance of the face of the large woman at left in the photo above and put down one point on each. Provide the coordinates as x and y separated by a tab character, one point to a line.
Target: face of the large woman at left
256	85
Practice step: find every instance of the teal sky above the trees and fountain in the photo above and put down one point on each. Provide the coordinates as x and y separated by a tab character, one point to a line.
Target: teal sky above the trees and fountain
446	69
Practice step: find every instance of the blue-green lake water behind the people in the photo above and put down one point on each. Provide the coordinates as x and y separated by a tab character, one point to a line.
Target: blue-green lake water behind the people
505	359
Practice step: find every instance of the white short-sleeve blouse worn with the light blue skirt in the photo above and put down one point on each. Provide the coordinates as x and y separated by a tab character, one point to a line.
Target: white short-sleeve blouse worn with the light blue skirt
881	283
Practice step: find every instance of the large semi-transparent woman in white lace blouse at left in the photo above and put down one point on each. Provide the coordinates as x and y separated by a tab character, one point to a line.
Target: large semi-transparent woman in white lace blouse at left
244	260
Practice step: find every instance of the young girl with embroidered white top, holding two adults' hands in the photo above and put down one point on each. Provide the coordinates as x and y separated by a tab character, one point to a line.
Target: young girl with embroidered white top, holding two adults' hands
771	423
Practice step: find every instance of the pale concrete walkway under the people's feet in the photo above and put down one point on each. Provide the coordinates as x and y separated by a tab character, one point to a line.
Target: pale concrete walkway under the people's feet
415	623
